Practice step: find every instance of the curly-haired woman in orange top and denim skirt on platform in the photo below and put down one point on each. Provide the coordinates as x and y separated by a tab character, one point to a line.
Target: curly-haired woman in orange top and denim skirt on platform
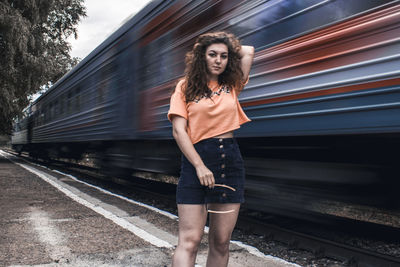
204	111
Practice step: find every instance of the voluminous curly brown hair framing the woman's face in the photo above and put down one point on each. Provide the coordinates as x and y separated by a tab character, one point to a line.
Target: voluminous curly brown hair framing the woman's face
196	71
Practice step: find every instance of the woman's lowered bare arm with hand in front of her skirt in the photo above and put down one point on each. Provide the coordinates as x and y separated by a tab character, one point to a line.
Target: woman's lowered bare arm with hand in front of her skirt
179	131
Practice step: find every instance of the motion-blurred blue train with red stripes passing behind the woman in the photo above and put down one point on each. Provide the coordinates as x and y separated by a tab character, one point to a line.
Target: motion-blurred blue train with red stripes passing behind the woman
323	97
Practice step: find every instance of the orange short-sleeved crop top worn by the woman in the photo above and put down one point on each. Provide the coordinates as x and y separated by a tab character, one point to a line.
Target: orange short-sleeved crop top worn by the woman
208	117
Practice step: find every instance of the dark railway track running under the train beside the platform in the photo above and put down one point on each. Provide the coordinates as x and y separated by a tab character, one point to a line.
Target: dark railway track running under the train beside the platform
294	233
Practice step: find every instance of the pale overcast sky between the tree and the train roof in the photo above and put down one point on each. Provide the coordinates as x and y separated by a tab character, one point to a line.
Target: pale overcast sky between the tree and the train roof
103	18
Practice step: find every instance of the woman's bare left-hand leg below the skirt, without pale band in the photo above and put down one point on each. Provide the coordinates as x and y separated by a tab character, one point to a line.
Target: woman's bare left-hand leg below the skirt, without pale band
192	219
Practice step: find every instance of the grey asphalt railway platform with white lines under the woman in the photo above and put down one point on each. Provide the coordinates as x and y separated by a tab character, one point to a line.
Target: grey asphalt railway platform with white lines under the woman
48	218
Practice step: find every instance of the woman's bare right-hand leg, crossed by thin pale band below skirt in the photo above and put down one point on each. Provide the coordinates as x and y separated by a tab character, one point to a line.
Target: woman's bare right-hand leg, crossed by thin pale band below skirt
219	236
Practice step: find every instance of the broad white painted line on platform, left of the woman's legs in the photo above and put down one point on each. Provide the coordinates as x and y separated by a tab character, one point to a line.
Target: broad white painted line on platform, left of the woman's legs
117	220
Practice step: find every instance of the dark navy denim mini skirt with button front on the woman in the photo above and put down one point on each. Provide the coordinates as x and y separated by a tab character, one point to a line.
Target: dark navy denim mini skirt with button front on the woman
222	157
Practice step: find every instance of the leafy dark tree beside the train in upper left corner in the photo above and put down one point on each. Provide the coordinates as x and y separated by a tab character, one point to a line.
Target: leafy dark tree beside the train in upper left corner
33	49
